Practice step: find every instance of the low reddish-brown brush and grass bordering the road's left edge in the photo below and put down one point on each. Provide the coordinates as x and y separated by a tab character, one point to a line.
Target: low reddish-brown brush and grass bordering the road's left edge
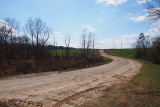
74	62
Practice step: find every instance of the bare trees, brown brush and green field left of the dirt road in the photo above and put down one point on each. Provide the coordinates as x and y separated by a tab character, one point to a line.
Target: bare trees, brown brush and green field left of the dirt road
27	50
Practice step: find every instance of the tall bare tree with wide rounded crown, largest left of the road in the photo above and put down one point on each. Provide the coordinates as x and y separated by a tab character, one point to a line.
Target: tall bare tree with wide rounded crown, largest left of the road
39	34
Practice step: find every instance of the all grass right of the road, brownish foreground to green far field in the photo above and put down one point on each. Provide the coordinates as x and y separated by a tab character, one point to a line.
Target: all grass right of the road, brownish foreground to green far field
147	81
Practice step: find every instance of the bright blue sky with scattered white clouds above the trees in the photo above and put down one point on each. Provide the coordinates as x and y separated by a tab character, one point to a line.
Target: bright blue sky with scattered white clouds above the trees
112	21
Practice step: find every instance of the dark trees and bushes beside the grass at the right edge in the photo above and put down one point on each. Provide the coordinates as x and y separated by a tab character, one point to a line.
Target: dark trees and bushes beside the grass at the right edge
148	48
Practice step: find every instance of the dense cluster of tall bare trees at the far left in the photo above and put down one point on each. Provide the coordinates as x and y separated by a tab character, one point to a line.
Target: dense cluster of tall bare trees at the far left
15	44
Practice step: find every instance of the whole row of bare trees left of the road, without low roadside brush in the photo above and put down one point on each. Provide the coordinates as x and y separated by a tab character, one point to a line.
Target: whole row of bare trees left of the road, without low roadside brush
19	45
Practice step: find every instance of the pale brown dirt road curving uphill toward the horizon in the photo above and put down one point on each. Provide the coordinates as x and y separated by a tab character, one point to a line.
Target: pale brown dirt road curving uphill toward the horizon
65	89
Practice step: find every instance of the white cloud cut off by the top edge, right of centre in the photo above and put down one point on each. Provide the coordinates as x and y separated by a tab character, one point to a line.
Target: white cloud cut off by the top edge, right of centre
113	2
